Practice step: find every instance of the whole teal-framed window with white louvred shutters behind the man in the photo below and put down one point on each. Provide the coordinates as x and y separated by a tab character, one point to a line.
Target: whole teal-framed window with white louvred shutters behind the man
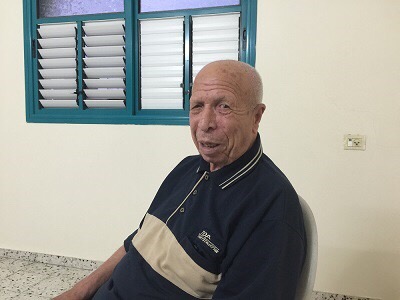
127	62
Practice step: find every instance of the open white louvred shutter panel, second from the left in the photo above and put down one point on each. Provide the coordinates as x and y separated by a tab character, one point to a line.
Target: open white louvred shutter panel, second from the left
104	64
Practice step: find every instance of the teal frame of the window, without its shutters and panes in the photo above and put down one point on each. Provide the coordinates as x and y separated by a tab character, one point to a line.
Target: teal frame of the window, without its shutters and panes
132	114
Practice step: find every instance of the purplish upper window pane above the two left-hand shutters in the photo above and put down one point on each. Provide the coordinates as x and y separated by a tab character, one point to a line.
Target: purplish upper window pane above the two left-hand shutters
57	8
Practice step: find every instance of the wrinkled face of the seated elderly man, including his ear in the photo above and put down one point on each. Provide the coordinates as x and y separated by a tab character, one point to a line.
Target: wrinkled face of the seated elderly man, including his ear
223	121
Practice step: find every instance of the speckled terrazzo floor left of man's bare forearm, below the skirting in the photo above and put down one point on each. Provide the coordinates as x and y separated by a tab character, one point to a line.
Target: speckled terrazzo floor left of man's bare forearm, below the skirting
23	279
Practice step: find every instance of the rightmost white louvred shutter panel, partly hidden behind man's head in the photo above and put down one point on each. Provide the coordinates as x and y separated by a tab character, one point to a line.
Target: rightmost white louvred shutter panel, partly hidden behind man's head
215	37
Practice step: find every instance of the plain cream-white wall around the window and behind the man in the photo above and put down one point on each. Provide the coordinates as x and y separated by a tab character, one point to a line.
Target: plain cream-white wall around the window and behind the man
329	68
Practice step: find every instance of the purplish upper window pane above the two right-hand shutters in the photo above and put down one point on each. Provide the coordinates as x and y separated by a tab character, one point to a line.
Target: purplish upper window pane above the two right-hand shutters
162	5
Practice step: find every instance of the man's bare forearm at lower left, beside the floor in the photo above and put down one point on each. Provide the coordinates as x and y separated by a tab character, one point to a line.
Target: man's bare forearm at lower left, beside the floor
87	287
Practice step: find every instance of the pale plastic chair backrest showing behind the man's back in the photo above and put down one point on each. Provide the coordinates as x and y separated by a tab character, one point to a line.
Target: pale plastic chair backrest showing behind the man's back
307	277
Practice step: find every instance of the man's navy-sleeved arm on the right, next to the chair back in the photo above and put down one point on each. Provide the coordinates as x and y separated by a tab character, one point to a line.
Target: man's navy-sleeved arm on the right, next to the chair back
267	266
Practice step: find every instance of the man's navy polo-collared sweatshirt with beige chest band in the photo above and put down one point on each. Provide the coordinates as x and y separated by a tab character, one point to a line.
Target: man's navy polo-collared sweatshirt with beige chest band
235	233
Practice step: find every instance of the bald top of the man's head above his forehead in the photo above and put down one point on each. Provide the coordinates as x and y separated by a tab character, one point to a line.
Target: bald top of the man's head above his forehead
245	78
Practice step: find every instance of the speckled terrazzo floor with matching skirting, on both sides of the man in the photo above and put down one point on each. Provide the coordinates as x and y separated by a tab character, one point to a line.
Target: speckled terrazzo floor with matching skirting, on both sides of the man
29	279
